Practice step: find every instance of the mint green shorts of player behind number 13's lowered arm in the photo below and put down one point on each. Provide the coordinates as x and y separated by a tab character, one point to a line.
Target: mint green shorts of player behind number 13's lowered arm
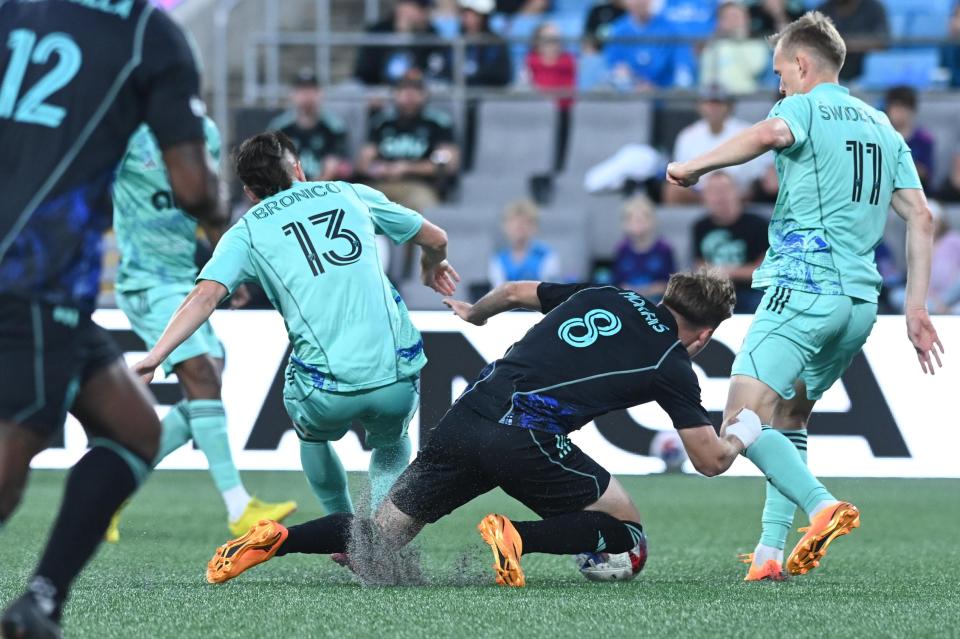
149	311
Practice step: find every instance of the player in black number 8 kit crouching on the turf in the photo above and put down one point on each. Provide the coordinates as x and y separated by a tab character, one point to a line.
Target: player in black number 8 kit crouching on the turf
598	349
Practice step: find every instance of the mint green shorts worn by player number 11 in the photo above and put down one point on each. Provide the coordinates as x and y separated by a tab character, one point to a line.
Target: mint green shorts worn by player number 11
804	336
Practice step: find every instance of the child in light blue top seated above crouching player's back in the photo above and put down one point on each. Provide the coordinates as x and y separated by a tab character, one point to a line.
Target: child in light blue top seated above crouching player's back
524	257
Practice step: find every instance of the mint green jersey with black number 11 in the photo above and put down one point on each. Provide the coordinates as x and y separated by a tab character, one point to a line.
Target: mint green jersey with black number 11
836	184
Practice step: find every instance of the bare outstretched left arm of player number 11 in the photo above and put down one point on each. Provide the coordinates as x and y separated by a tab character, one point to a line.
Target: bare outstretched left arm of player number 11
743	147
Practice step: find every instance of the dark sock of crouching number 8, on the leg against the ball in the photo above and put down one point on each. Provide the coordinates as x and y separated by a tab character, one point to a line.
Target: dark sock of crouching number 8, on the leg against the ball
573	533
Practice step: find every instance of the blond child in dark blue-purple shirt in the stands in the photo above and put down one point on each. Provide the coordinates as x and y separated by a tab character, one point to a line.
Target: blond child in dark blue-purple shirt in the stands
644	260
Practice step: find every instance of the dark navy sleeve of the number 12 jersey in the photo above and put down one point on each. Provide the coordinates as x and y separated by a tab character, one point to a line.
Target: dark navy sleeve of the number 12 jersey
169	82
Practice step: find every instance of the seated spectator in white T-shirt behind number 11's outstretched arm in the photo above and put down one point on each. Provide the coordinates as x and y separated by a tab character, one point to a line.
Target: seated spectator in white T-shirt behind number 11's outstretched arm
717	125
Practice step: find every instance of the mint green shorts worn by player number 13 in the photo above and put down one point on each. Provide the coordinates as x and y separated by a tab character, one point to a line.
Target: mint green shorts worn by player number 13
321	416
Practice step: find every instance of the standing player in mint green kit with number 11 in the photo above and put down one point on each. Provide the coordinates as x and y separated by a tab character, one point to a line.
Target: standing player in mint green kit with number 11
841	166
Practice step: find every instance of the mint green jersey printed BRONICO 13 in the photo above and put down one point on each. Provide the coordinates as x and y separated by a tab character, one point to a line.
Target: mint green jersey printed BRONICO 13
312	248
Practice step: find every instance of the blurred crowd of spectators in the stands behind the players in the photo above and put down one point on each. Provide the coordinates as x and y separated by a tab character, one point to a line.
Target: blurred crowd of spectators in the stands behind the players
413	153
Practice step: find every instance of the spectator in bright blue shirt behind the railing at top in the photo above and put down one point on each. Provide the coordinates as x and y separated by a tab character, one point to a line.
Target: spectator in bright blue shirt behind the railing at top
647	65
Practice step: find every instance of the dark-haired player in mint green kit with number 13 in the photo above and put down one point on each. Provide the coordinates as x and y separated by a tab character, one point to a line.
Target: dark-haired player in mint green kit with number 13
356	354
